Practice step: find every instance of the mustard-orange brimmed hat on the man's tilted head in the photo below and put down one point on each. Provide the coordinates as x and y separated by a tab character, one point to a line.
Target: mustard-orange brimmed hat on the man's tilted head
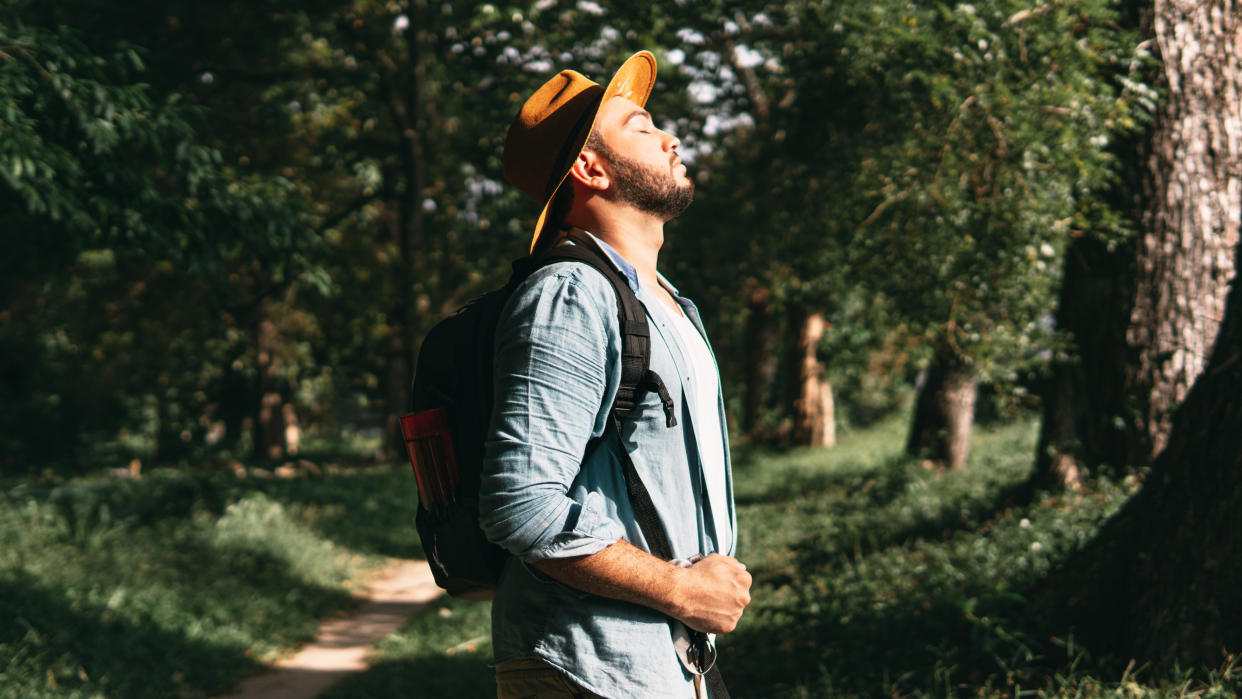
551	130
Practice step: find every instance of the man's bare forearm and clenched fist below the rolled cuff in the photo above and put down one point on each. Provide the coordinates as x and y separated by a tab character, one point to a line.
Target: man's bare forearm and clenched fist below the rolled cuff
707	597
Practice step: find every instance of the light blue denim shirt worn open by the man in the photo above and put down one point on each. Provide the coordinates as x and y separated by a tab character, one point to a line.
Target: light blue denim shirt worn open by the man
558	367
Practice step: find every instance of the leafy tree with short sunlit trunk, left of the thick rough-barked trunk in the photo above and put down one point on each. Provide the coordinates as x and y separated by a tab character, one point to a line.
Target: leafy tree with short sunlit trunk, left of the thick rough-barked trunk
986	156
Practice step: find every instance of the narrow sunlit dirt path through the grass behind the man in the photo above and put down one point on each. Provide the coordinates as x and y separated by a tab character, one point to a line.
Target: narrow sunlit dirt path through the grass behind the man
399	592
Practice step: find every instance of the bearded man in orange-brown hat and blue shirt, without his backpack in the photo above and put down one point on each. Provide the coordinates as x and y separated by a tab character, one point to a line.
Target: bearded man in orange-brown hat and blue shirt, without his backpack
583	609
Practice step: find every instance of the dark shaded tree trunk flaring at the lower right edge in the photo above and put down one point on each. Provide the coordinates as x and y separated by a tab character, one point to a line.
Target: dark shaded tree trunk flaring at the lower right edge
1161	582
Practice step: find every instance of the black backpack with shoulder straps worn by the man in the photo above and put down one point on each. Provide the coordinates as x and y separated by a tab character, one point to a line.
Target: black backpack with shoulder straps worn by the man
453	407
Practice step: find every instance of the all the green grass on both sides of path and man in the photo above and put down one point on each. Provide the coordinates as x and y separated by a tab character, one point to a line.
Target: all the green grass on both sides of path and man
873	578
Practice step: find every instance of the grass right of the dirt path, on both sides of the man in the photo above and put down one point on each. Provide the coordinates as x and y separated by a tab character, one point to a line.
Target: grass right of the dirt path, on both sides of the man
874	578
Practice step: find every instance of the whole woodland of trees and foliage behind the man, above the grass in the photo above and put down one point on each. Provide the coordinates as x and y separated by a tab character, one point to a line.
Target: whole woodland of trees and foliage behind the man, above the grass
227	228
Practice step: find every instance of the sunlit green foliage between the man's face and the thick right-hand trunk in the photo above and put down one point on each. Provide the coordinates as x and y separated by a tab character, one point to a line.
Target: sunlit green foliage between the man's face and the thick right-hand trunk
936	157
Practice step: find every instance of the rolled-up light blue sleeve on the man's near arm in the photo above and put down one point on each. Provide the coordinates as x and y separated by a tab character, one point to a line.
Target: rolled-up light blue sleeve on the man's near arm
552	376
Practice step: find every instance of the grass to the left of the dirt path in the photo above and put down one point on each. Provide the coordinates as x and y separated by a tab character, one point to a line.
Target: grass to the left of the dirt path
182	584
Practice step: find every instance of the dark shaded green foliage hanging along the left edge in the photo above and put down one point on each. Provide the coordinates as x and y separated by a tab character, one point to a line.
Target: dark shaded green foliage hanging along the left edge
131	246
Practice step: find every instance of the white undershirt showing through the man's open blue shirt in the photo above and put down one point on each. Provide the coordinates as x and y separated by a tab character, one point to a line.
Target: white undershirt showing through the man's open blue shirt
704	395
